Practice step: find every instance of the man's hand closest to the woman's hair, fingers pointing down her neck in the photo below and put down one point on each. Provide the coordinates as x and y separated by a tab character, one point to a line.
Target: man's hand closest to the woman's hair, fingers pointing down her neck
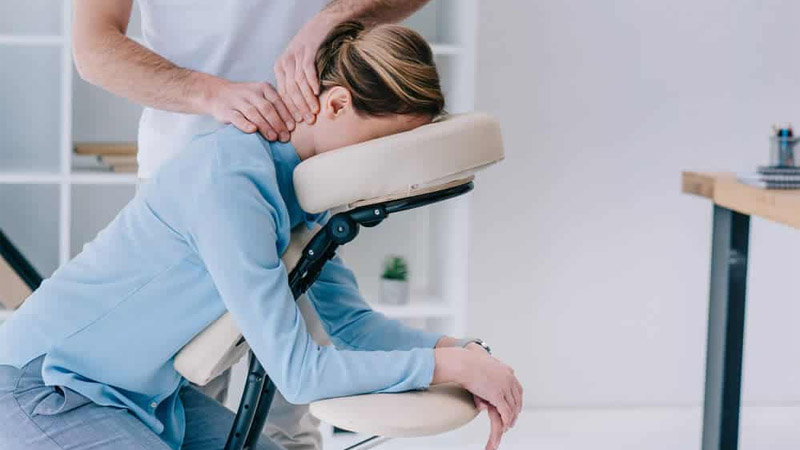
295	71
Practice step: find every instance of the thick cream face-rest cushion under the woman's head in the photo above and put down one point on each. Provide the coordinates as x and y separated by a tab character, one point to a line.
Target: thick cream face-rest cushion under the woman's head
399	165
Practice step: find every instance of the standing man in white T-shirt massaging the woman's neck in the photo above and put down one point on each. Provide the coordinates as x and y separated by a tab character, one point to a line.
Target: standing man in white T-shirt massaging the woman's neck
206	63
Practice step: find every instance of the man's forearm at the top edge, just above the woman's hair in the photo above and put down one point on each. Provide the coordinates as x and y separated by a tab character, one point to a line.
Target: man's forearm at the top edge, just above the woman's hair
373	11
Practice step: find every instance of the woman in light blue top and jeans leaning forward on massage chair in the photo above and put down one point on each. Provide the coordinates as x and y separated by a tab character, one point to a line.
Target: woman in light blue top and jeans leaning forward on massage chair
86	363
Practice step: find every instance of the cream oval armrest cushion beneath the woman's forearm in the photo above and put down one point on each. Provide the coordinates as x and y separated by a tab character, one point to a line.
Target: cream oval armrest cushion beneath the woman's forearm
437	410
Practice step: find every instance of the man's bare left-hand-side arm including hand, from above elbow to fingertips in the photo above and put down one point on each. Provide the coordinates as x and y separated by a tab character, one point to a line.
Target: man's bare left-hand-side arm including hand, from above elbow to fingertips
107	58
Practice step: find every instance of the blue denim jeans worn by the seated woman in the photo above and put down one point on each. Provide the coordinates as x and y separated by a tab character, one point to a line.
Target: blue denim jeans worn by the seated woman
38	417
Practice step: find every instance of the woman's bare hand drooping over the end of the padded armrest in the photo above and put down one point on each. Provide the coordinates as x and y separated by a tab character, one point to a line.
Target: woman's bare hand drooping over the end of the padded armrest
486	378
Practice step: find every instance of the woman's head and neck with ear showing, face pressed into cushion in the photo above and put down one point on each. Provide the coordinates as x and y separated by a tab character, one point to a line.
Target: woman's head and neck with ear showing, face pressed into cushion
376	81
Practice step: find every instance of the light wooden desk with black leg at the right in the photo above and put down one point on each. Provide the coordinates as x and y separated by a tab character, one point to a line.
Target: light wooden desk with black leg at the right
734	203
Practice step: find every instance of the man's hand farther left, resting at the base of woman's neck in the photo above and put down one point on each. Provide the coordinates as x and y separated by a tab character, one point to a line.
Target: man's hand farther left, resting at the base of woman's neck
249	107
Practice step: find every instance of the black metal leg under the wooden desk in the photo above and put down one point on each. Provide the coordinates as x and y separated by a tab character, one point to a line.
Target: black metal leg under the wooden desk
726	314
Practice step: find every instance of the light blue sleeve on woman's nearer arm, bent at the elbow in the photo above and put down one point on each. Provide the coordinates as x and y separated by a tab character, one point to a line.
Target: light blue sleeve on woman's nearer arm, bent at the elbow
237	227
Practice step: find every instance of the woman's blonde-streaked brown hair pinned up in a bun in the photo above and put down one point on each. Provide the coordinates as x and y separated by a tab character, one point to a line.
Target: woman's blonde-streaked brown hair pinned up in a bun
388	69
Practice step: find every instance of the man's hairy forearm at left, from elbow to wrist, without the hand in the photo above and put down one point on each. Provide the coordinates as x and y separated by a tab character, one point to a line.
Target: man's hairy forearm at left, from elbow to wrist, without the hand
120	65
